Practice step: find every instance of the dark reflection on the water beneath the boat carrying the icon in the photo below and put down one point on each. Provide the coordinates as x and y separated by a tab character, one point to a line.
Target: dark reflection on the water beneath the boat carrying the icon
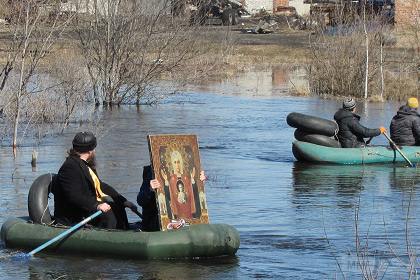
97	268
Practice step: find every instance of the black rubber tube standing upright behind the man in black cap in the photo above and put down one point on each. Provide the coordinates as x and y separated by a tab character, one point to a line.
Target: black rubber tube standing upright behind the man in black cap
38	199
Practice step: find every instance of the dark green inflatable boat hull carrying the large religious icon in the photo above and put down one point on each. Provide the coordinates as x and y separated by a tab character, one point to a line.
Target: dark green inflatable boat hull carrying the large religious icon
202	240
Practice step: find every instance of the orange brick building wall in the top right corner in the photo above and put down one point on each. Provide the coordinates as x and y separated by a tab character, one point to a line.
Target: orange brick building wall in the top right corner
407	12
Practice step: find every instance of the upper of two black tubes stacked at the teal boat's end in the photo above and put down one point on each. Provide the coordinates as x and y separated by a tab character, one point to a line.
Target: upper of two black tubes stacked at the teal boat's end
312	124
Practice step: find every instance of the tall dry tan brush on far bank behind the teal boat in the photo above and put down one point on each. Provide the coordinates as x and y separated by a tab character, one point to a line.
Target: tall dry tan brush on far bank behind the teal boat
338	62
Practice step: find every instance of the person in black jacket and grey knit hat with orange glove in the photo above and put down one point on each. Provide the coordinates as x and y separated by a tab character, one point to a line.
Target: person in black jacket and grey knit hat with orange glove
351	133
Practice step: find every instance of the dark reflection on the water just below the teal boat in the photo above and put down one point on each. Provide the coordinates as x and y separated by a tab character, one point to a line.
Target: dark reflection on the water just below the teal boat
345	184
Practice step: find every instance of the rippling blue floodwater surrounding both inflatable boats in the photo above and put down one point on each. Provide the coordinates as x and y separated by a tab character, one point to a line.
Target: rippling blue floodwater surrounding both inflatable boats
296	221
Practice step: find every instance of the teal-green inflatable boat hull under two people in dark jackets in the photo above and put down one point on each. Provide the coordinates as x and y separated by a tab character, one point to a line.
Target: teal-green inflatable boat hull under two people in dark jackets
304	151
